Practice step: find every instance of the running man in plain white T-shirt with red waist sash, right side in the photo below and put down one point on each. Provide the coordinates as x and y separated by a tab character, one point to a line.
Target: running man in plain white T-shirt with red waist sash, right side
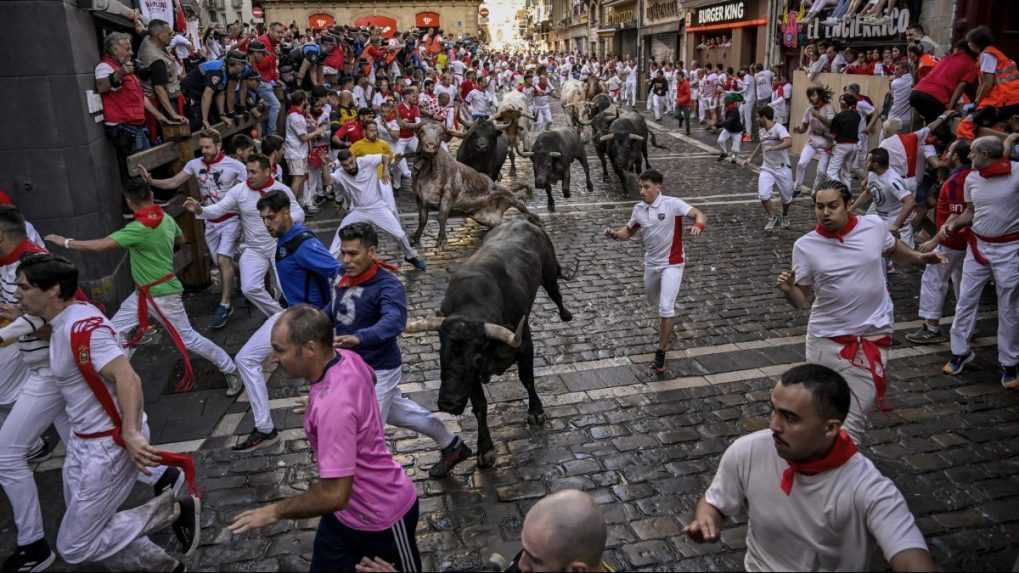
839	274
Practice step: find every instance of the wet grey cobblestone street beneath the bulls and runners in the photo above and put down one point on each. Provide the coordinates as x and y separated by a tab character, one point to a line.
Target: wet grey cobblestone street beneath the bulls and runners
646	447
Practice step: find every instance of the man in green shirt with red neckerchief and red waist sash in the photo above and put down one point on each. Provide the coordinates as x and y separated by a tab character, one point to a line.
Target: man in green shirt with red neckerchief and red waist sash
150	240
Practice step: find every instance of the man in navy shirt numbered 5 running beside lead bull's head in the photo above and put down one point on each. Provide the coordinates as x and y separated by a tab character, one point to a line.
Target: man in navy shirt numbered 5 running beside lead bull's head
369	311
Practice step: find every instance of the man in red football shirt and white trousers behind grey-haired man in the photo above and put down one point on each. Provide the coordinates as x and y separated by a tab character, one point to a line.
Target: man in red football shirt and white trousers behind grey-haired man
935	284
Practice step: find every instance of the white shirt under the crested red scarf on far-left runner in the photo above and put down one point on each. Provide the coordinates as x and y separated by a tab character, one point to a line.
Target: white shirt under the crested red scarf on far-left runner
85	413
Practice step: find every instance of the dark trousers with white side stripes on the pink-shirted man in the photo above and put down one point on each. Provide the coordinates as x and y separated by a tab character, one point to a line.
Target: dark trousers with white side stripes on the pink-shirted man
339	548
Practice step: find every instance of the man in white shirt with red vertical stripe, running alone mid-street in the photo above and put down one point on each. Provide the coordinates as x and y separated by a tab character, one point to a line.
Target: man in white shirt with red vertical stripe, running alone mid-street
662	219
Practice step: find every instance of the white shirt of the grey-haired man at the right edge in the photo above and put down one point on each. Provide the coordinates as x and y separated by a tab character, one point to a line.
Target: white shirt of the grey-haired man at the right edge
996	202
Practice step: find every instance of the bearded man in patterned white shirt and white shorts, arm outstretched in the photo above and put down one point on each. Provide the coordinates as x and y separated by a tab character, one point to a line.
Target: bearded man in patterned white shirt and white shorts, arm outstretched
216	174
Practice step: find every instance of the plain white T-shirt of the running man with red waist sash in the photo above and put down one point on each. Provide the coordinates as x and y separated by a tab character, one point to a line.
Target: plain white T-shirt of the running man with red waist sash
851	295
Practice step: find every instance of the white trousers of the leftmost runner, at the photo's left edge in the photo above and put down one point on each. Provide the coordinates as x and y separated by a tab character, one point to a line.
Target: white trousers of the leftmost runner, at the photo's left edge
39	405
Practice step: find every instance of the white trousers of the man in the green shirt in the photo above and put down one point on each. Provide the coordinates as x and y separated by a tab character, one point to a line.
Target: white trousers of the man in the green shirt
172	307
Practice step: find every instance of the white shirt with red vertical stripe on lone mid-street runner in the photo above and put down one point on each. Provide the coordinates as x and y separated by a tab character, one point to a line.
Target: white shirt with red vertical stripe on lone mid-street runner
662	230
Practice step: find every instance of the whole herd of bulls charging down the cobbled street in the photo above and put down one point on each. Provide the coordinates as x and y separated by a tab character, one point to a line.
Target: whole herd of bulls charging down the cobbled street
484	325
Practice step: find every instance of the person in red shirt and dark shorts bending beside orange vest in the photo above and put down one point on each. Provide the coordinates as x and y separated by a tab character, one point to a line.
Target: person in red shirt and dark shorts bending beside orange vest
941	89
